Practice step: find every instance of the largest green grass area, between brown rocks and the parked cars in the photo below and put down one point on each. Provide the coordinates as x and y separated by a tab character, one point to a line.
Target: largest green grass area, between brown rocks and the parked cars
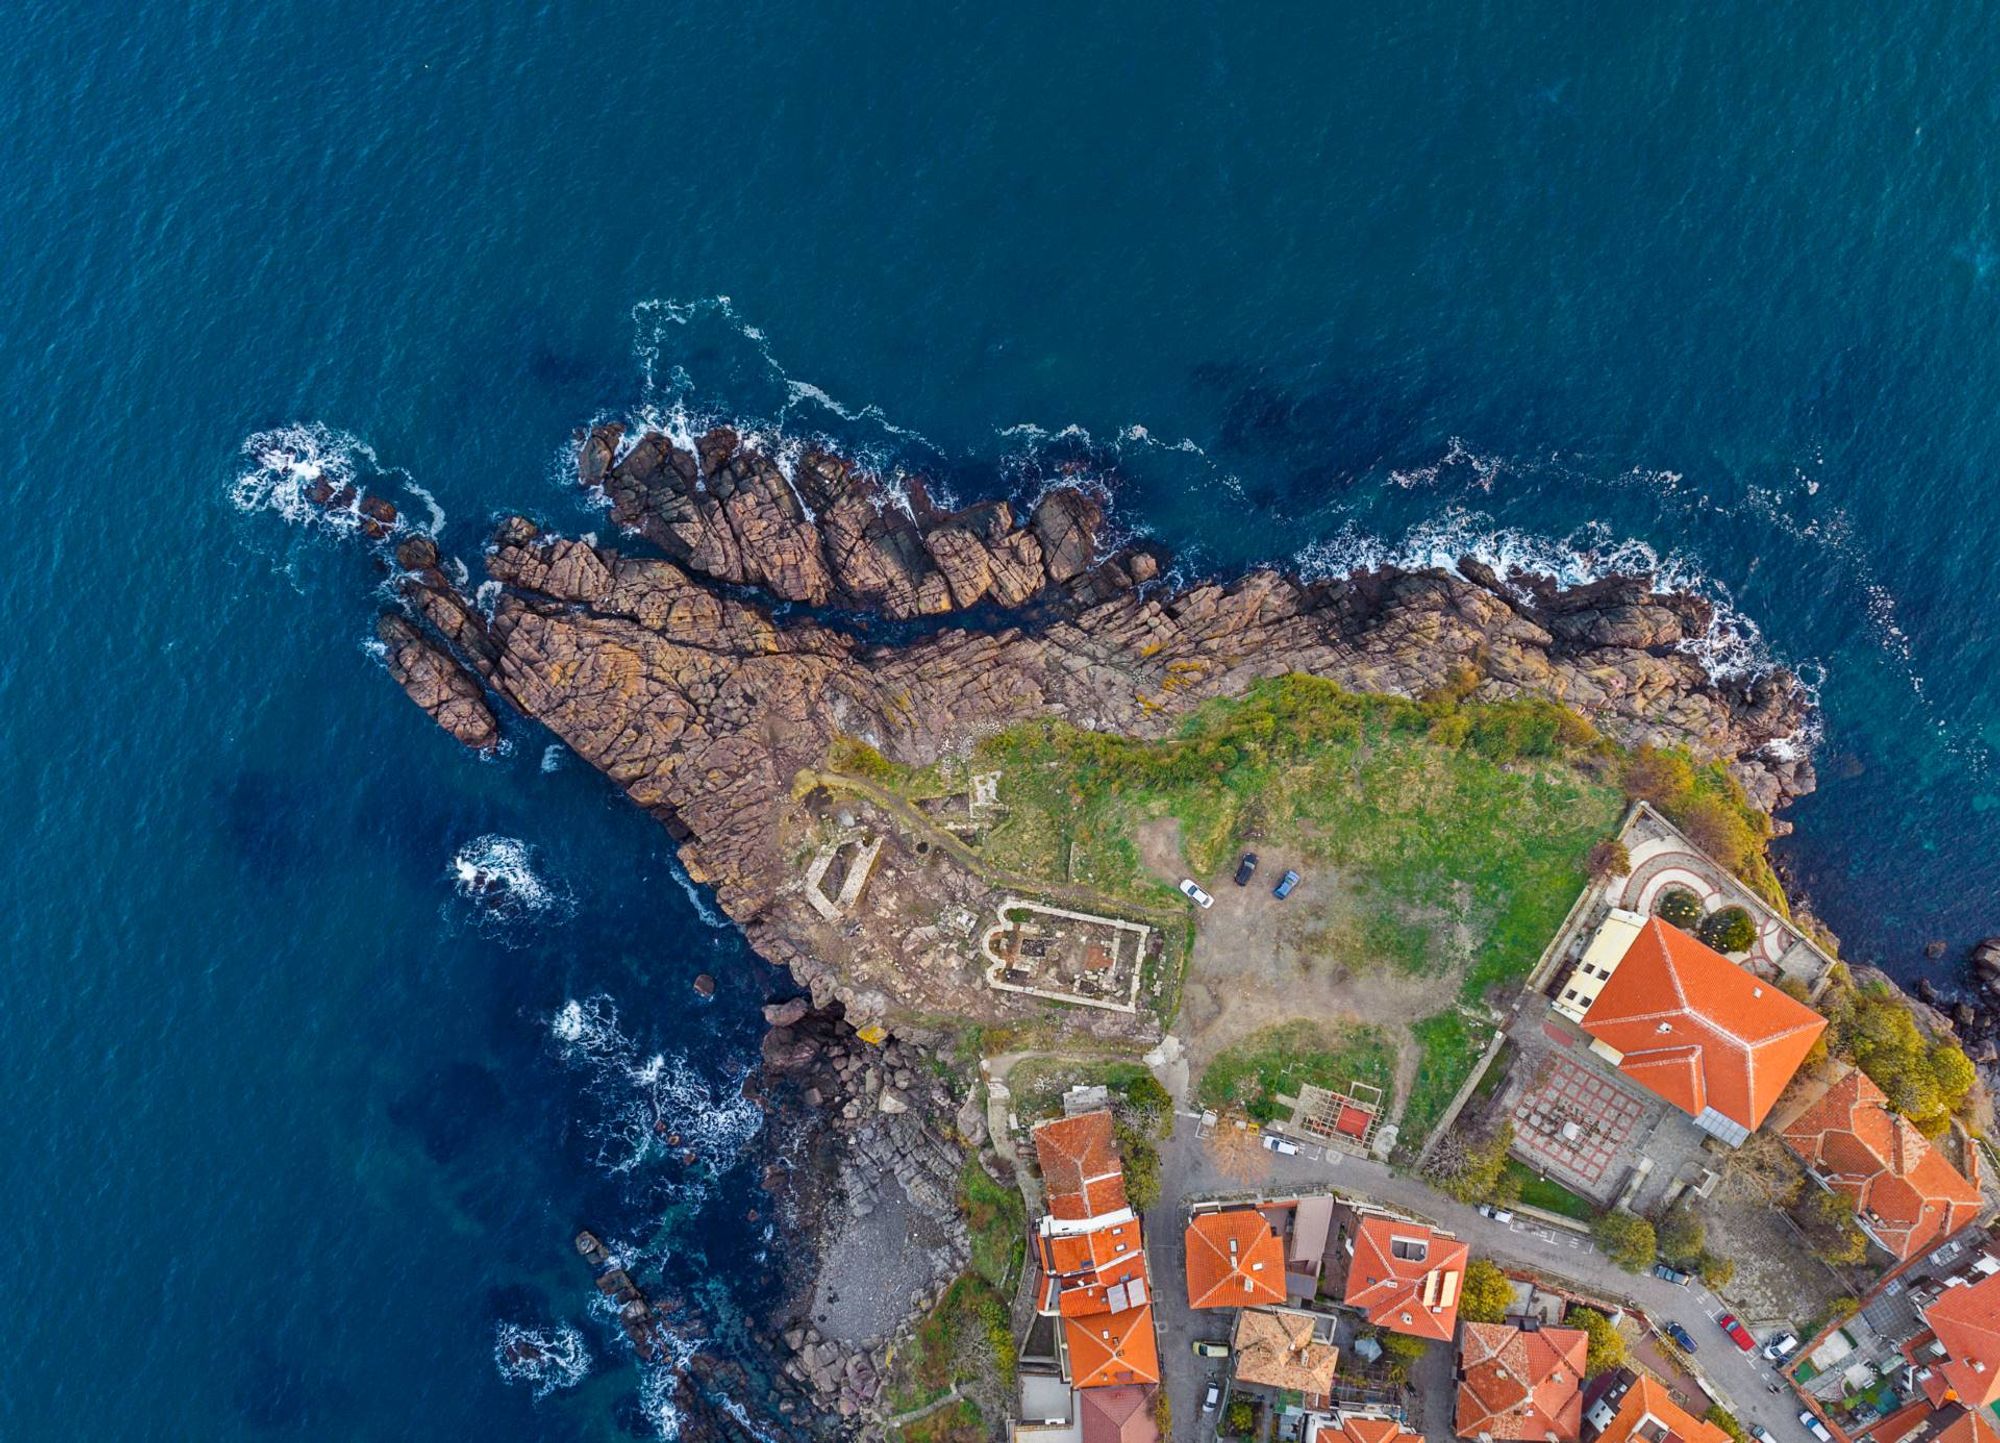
1457	830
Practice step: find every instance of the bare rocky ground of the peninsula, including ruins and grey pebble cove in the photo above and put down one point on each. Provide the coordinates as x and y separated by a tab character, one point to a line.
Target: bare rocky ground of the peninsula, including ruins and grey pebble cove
765	623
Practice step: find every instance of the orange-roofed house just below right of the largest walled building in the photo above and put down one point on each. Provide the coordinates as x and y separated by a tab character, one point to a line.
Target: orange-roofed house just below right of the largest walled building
1905	1194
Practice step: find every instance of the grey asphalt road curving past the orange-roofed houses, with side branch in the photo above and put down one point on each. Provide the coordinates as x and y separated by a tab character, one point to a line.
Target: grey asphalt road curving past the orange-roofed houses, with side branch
1187	1170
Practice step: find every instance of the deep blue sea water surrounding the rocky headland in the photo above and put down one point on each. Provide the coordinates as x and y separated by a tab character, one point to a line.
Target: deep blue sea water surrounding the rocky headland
297	1124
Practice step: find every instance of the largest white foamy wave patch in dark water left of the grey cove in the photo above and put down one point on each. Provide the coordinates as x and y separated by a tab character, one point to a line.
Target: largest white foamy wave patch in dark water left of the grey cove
651	1104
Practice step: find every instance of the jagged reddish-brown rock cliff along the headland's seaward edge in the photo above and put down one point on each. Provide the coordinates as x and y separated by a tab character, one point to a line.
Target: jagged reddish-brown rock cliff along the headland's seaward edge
709	677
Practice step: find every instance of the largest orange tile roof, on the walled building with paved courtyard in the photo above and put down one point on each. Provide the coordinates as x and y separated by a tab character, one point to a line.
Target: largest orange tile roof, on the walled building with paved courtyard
1699	1030
